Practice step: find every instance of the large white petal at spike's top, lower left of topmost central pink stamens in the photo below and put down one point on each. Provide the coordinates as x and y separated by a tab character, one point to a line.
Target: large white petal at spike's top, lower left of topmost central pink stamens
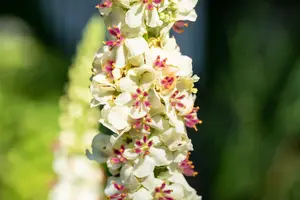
135	15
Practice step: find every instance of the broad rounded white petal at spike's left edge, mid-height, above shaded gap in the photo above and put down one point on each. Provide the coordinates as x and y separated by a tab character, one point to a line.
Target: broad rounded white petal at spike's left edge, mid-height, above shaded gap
118	117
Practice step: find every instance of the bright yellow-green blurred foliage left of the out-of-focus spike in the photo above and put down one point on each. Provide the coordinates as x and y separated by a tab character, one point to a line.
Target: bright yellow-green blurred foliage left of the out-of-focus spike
31	82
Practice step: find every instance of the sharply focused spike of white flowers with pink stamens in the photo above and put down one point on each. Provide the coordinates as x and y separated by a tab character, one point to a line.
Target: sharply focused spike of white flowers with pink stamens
145	89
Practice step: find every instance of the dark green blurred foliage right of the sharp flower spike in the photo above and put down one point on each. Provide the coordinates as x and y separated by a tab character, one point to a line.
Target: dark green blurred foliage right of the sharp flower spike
257	87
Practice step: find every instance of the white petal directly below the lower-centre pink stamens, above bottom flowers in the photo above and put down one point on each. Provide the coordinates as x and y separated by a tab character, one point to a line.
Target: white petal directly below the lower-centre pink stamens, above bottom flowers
145	167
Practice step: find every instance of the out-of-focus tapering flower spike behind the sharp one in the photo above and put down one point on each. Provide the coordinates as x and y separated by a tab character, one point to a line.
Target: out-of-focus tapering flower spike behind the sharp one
76	178
